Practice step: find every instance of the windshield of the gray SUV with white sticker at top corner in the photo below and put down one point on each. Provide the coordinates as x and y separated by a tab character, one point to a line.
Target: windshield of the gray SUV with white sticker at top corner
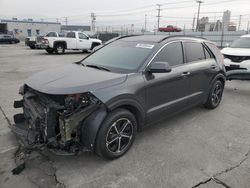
120	56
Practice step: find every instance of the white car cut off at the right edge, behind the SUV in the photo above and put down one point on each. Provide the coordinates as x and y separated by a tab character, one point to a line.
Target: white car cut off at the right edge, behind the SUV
237	55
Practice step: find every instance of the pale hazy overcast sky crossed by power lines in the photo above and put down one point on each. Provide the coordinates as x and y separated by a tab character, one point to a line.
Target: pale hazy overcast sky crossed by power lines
117	13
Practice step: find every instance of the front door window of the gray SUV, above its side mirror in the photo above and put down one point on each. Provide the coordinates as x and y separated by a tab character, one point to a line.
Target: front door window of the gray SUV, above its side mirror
172	53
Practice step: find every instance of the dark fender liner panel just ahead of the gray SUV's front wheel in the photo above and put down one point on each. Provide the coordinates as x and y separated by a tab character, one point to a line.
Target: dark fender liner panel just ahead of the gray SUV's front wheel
90	127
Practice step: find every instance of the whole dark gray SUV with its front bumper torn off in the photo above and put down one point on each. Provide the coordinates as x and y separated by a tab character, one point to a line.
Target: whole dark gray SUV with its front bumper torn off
99	103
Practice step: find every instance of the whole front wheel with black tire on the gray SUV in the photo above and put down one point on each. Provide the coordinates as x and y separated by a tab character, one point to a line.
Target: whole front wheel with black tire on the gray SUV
116	134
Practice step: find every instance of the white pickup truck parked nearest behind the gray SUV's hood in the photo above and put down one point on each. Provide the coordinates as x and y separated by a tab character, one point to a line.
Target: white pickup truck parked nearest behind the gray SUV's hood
74	40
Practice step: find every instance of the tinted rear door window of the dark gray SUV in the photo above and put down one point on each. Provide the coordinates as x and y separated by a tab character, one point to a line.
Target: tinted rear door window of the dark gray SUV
194	51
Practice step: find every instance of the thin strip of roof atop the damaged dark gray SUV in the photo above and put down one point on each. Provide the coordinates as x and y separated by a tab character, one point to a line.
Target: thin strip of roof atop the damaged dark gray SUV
157	38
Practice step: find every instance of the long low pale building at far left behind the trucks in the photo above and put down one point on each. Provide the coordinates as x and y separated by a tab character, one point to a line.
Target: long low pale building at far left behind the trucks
27	27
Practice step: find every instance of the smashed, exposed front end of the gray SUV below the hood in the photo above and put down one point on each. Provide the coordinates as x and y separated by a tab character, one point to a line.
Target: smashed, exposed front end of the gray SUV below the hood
54	121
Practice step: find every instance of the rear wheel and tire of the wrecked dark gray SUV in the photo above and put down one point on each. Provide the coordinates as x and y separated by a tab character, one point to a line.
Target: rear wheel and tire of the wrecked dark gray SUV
215	95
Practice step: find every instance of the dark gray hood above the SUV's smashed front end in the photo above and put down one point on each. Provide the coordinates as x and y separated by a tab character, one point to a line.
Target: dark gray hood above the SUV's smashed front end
72	79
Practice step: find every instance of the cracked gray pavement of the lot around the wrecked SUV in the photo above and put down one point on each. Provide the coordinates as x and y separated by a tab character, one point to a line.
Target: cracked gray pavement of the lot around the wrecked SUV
197	148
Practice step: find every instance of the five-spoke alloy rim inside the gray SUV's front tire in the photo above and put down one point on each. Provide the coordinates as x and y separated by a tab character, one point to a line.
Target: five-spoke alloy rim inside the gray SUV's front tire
119	136
